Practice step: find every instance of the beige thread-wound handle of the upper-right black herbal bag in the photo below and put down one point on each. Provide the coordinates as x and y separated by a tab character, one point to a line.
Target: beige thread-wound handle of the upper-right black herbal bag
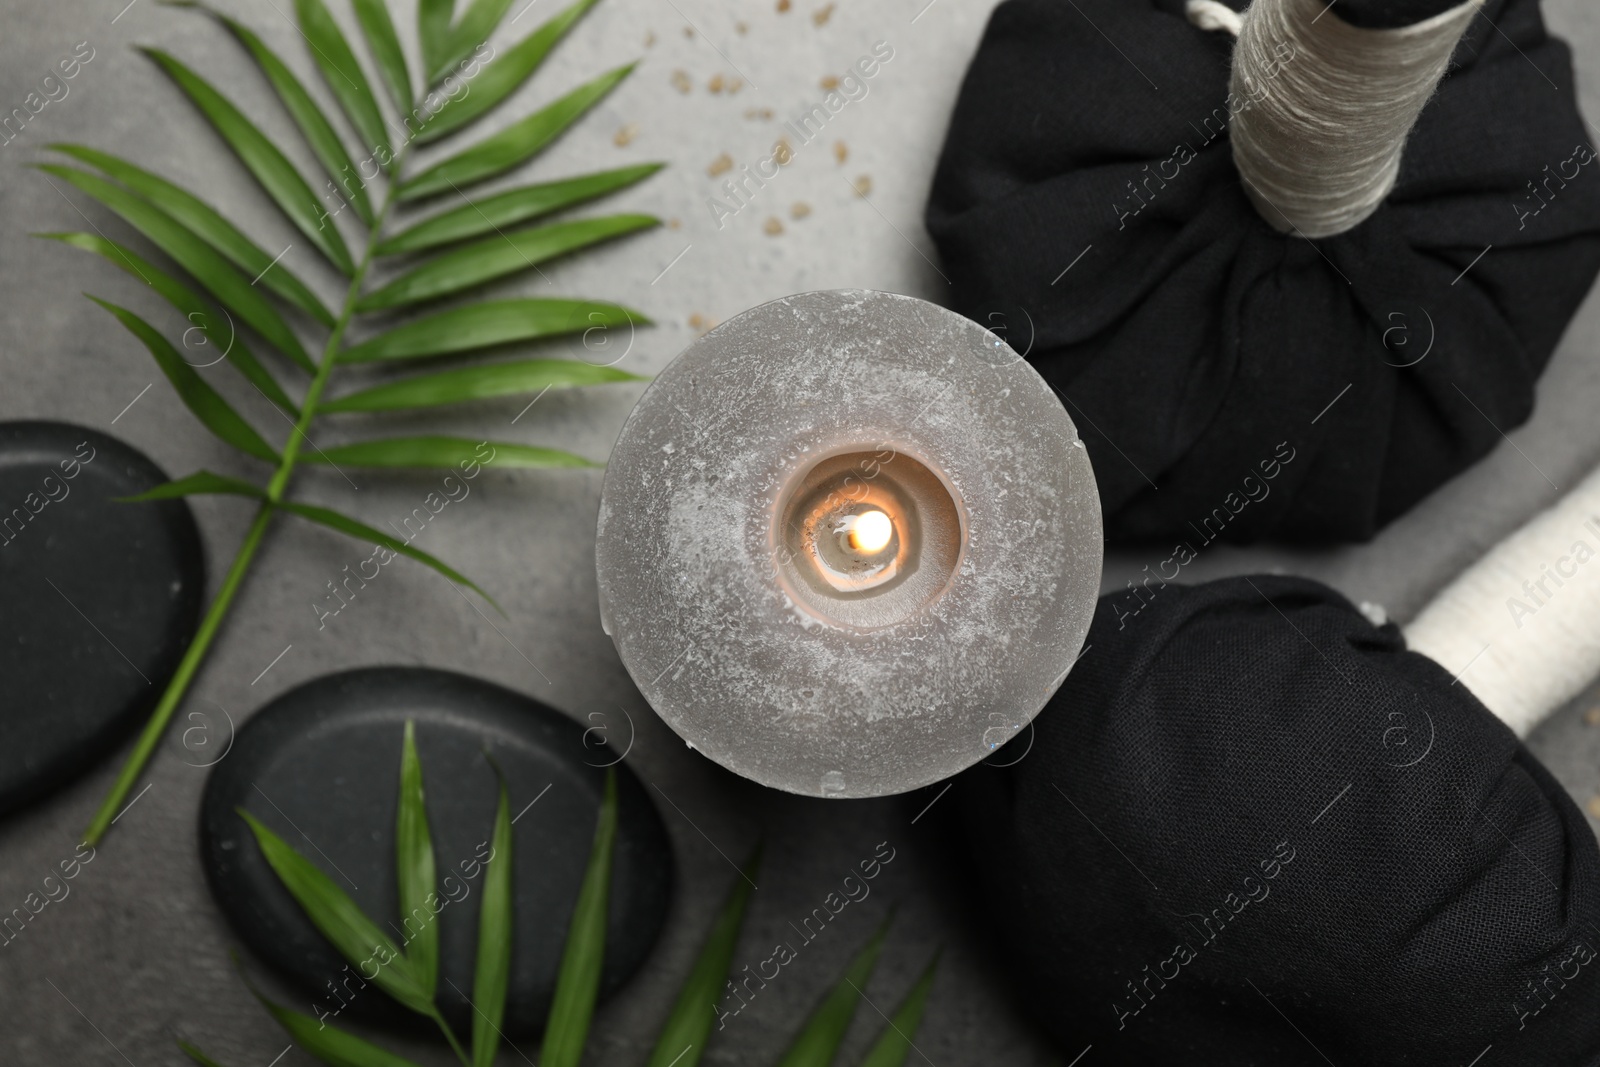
1322	108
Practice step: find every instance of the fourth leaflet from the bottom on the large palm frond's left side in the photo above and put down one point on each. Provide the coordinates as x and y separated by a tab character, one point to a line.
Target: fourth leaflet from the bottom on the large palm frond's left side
204	263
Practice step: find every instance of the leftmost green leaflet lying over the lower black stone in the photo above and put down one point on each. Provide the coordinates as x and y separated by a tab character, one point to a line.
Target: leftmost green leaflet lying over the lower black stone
330	909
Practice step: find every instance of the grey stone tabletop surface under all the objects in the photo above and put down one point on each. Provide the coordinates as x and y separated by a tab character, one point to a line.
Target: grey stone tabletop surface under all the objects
138	951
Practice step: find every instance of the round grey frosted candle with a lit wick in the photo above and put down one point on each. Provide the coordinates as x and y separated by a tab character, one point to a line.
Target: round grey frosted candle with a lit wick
849	545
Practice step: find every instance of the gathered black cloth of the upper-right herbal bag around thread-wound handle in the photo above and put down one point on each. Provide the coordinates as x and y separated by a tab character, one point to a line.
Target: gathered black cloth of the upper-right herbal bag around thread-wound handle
1087	209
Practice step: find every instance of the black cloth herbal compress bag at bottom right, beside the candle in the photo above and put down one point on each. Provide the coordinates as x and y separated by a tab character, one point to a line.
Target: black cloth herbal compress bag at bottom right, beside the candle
1252	829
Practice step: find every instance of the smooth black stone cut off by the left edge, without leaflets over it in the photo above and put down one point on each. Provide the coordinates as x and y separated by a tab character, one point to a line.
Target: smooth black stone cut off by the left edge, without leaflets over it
98	601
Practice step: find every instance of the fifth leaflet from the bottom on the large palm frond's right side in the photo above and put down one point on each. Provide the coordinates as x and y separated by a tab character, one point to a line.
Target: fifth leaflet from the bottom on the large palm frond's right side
500	257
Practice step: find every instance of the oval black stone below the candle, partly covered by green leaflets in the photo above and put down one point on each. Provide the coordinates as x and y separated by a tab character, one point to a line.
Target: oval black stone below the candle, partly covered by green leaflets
321	765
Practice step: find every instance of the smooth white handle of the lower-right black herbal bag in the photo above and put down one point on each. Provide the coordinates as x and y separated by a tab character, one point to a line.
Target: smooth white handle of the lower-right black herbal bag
1522	626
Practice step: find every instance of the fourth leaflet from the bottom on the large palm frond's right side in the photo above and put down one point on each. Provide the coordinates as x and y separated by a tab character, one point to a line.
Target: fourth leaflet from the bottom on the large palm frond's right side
490	324
